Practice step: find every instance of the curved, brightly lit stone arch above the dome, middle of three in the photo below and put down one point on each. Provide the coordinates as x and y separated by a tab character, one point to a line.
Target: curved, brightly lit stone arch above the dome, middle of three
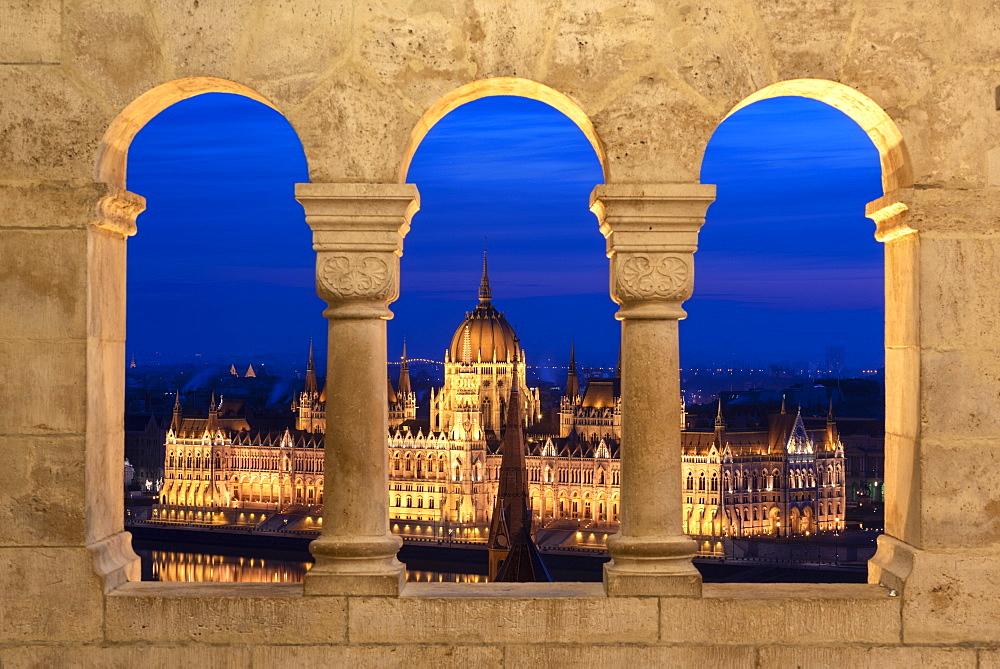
484	88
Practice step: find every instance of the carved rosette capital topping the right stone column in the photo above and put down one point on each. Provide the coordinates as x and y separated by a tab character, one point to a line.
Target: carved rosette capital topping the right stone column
652	234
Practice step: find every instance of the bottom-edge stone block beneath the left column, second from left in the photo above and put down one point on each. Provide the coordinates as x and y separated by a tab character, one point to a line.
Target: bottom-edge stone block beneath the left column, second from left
386	656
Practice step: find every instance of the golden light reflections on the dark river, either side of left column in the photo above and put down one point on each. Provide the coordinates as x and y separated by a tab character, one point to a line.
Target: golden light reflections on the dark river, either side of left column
200	567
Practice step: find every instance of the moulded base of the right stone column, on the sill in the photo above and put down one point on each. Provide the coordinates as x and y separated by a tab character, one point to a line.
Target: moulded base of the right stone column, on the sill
651	566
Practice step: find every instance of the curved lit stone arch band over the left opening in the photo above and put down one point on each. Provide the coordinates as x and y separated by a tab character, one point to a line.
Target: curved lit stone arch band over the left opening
112	152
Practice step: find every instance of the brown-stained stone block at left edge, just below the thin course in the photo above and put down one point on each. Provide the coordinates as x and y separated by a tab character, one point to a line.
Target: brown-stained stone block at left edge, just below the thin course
43	284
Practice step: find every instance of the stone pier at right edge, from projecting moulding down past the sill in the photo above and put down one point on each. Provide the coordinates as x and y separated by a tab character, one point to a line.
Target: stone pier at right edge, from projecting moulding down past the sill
941	547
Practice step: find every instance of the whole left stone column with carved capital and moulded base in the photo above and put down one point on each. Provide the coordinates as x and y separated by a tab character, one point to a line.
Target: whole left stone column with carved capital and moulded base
357	235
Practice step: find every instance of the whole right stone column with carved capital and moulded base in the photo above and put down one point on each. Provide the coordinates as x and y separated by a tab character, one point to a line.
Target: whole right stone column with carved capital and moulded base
652	234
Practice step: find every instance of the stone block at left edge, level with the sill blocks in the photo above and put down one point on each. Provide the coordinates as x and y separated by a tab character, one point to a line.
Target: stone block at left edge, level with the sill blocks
50	595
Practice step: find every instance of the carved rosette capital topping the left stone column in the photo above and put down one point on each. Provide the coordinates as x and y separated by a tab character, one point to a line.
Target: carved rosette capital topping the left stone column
358	231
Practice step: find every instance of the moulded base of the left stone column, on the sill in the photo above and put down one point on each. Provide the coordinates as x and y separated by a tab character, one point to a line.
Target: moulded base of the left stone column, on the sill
356	566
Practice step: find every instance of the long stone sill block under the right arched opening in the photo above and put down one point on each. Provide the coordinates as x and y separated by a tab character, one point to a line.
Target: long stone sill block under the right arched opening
778	613
